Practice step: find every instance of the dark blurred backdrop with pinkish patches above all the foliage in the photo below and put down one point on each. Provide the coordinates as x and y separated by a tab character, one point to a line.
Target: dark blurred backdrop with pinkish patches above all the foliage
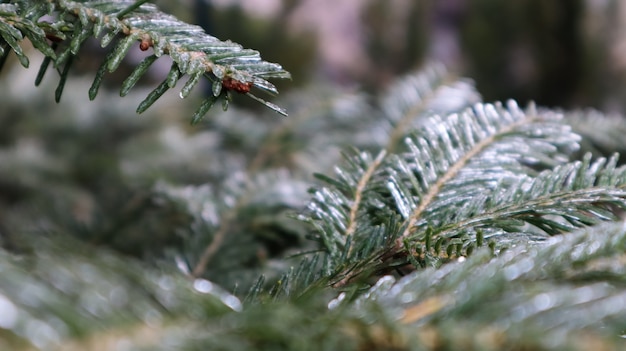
567	53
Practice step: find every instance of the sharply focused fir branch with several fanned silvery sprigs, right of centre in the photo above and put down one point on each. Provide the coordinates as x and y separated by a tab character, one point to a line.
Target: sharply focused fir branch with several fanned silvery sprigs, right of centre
456	171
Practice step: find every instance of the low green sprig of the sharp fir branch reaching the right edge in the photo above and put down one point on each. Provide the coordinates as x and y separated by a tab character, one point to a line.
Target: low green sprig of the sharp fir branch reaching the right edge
579	193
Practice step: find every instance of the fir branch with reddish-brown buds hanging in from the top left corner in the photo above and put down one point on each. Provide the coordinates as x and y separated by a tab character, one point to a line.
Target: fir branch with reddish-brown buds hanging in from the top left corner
225	65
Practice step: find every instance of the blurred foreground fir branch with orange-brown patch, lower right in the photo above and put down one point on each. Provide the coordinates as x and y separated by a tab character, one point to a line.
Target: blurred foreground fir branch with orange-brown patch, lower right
578	273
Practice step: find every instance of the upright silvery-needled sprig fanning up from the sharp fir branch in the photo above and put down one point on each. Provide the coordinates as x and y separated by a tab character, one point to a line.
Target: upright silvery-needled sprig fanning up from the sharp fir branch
477	155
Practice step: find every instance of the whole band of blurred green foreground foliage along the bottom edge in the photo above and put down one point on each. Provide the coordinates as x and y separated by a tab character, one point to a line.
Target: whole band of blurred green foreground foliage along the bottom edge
567	294
